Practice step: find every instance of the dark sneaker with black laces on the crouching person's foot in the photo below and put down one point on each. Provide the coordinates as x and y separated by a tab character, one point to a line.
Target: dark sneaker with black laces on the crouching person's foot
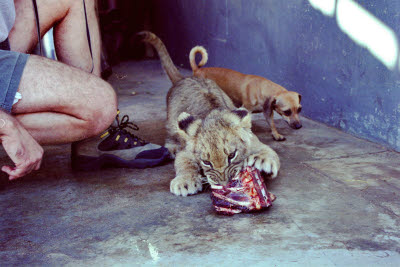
118	147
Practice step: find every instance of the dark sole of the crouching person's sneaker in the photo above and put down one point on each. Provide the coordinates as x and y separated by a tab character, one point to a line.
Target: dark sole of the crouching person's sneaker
87	163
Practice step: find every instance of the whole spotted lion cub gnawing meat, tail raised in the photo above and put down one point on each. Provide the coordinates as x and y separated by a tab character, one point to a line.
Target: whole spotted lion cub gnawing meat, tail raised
208	135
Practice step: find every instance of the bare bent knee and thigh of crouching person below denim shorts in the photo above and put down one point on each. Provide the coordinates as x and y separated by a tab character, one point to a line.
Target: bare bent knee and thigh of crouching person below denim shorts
62	104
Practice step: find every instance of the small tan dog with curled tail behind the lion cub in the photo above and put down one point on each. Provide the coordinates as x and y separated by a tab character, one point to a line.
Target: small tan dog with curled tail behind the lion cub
255	93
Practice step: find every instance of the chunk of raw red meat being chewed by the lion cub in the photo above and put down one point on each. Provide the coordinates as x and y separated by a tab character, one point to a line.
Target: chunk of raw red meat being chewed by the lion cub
246	192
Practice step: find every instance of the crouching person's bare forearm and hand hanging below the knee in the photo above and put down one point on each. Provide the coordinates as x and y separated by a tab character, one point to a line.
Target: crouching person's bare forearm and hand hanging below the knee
20	146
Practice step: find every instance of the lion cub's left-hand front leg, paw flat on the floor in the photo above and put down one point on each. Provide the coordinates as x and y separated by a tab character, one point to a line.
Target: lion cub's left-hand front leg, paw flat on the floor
188	179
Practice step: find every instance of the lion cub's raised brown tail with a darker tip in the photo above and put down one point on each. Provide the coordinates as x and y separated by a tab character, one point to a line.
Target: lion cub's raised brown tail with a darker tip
166	61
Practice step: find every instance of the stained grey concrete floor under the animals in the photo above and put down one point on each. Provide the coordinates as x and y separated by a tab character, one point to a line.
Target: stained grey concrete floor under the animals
337	202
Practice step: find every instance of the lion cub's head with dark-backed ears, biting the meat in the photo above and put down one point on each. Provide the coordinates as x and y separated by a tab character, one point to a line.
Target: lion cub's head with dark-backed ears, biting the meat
219	143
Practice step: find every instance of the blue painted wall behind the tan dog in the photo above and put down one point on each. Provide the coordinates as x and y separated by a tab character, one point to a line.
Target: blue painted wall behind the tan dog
292	43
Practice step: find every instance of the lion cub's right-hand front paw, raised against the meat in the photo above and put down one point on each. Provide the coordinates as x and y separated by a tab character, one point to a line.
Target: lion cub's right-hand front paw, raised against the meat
264	161
